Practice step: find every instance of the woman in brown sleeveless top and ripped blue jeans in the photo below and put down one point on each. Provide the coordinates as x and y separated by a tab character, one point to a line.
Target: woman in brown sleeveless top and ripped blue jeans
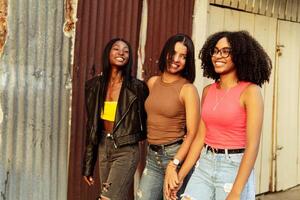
172	115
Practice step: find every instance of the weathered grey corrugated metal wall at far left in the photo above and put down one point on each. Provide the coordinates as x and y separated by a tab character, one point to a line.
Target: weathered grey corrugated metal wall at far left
34	68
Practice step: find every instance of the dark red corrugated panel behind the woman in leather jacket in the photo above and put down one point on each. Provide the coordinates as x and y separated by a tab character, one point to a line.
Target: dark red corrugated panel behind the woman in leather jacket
98	22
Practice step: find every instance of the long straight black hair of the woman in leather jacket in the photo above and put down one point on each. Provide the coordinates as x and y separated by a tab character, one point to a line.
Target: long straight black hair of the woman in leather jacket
126	69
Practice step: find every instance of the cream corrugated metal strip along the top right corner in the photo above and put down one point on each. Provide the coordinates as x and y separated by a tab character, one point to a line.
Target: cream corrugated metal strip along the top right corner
283	9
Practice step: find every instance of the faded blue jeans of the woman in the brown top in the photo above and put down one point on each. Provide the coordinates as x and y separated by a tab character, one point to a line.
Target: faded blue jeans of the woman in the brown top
151	183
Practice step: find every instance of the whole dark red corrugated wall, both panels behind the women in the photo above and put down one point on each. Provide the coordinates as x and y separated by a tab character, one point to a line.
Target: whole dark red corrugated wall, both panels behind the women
99	21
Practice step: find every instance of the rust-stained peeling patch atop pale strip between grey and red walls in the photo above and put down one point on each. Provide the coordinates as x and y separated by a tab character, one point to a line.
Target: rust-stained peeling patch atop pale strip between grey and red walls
70	17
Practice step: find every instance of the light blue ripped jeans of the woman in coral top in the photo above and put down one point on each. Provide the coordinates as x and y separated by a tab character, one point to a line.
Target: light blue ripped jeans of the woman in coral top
214	175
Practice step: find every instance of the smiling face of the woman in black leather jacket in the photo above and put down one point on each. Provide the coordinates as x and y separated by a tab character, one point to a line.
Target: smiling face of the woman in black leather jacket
119	54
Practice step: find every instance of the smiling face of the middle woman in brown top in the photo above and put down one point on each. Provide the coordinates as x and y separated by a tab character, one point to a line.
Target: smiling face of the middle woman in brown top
177	63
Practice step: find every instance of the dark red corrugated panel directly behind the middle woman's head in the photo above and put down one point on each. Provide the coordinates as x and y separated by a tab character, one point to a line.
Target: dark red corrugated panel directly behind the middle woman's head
165	18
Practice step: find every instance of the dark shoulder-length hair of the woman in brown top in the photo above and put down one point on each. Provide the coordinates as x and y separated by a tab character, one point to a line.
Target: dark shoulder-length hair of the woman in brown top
168	50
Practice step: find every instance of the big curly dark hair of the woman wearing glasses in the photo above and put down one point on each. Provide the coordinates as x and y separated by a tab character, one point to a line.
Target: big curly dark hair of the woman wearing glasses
250	59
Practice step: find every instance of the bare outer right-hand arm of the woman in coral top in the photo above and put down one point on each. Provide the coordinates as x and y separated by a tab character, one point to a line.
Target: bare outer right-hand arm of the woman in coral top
253	102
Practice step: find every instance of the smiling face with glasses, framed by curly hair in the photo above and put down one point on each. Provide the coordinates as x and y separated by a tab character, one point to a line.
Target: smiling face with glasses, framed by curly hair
222	64
